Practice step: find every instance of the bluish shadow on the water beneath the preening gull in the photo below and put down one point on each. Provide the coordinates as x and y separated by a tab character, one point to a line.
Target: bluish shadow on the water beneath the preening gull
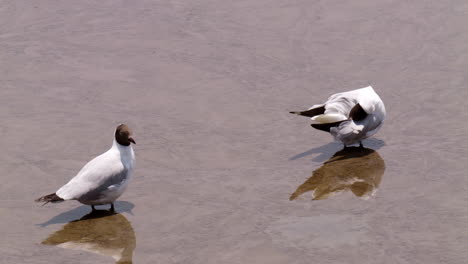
326	150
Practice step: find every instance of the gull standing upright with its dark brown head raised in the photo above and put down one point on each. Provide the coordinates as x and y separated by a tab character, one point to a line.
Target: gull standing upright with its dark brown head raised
104	178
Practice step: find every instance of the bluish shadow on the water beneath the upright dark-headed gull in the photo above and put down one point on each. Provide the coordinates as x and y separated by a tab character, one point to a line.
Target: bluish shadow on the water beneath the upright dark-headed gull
120	206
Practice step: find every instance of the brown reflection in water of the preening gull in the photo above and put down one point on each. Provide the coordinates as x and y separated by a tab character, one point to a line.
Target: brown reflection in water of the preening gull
354	168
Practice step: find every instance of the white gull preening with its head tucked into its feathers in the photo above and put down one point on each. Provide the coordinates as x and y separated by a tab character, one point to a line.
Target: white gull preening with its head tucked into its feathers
349	116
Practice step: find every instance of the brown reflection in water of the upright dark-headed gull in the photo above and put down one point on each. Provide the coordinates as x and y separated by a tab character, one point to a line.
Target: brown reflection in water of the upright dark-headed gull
101	232
